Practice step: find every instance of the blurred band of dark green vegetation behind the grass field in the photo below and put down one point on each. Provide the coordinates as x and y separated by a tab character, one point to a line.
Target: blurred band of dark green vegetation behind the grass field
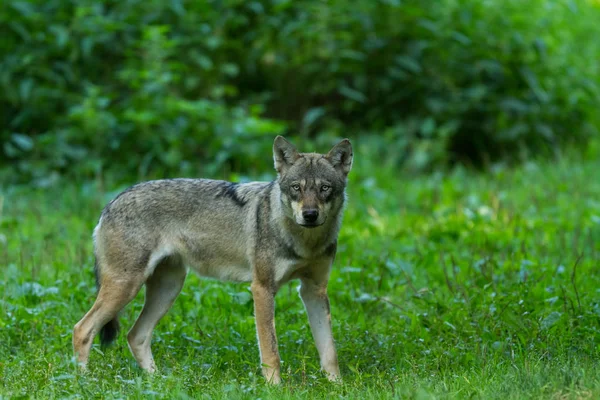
174	87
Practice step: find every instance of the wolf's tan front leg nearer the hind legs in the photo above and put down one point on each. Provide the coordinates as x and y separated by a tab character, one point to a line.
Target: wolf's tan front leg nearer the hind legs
264	311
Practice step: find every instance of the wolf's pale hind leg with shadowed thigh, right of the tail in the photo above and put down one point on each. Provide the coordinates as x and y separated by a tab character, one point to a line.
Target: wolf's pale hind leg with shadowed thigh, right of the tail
162	288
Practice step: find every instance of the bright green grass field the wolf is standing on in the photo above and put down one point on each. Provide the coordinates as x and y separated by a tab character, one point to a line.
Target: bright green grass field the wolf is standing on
460	285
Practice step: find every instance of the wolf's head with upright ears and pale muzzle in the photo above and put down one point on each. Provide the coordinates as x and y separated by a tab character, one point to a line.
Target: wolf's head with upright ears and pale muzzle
312	185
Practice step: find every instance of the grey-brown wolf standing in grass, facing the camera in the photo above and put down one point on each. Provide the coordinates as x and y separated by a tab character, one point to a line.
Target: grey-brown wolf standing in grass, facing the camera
265	233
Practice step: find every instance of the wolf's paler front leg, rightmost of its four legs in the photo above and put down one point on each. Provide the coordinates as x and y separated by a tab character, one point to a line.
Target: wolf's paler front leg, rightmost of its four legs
315	299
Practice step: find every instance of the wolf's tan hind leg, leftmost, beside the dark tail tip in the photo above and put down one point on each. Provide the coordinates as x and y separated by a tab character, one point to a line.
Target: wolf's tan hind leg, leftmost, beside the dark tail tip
114	294
